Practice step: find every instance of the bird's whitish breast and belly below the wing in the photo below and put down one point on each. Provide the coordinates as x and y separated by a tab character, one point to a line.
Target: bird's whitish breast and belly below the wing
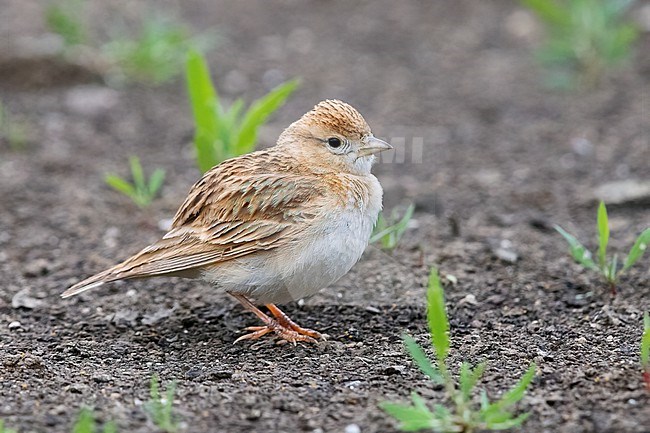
330	245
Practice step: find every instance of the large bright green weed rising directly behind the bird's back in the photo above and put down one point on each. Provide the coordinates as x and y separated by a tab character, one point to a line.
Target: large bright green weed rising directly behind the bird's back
222	133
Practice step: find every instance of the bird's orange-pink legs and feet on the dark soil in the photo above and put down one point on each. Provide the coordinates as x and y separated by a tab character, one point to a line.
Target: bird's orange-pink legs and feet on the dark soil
282	325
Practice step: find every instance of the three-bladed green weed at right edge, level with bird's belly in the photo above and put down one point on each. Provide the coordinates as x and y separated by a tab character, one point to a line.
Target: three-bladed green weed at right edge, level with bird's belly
606	267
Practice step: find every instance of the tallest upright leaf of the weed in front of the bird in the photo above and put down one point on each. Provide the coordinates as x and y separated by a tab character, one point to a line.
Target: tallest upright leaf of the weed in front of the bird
437	317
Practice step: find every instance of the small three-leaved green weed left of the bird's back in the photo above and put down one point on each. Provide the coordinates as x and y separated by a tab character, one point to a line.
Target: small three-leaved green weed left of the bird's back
141	191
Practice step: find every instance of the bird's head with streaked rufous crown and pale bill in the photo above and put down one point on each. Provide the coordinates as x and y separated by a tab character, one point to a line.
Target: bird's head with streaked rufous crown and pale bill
334	136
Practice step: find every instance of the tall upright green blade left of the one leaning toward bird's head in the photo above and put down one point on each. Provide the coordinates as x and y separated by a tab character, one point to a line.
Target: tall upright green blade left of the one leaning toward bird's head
204	100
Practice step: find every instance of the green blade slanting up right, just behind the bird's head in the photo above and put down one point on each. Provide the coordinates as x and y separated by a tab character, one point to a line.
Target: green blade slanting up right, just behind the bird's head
259	112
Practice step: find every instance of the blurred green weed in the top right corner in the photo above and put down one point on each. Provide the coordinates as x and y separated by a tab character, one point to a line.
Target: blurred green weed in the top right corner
584	39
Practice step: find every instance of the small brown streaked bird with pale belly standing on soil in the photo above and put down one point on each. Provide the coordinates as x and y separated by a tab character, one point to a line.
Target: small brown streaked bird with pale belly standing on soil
275	225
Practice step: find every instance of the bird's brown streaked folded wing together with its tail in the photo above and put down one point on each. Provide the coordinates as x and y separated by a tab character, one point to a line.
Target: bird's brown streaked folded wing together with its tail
237	208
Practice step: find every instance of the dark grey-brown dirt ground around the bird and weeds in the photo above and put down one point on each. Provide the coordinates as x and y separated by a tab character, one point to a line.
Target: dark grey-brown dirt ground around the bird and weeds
503	160
